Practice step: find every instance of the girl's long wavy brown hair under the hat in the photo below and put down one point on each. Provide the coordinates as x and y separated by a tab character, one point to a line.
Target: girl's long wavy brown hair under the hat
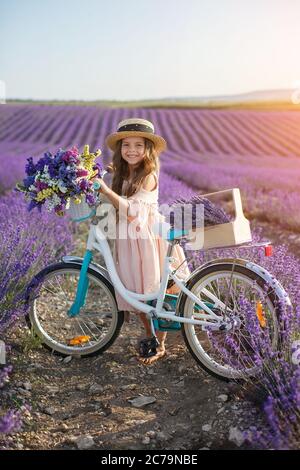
120	169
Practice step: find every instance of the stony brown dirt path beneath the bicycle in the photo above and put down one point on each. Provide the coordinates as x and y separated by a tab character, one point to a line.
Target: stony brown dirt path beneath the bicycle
90	397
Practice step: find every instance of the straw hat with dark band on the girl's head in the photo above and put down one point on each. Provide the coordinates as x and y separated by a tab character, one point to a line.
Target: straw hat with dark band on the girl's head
139	128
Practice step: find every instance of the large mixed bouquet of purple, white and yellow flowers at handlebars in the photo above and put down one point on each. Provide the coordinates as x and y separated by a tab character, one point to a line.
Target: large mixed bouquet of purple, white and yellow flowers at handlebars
56	180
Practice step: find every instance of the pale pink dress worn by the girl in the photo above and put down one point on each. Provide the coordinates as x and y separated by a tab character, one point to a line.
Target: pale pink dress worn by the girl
139	259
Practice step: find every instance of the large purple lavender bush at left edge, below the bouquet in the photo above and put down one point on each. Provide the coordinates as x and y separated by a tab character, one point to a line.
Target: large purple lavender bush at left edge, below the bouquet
23	234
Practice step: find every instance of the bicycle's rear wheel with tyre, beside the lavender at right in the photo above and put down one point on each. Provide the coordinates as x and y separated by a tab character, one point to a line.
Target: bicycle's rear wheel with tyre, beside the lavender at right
234	354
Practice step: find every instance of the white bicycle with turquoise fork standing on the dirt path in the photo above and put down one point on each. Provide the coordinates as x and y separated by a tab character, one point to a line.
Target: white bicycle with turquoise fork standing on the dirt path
73	309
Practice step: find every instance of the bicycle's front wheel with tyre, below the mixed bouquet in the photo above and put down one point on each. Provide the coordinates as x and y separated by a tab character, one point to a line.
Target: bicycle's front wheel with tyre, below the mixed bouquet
90	332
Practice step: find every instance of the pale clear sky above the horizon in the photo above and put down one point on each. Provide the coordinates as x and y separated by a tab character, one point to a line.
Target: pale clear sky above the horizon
145	49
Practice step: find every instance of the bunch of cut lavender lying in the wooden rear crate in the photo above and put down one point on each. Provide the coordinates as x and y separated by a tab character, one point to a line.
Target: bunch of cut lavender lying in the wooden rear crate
187	209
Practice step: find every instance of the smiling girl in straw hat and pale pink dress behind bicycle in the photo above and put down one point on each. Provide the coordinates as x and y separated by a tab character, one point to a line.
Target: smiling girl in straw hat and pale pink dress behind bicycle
140	254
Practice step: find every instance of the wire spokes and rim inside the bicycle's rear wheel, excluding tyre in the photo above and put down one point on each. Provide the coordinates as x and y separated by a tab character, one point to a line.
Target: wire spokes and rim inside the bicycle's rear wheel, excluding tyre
233	350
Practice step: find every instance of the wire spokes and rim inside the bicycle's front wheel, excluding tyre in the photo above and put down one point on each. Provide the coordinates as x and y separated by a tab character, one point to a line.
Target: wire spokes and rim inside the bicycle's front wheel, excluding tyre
93	326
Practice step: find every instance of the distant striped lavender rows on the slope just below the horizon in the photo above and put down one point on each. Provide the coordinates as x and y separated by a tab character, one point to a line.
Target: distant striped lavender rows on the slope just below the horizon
190	130
